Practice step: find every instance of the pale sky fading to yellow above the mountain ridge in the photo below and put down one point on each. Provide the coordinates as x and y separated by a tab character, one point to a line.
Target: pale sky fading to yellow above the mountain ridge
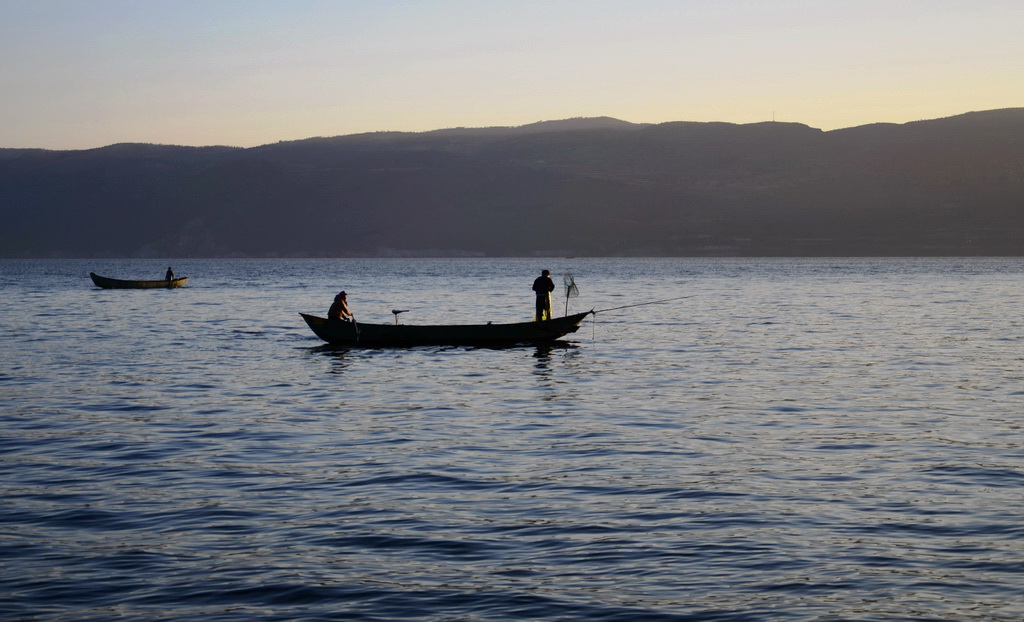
83	74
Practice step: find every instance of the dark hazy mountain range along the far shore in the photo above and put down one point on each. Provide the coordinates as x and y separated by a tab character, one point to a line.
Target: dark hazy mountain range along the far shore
580	187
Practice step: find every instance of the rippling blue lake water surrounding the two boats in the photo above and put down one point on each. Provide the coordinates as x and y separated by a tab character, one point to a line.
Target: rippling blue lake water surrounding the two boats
796	440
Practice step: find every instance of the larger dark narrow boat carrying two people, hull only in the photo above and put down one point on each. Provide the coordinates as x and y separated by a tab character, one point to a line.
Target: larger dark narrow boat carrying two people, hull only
340	333
